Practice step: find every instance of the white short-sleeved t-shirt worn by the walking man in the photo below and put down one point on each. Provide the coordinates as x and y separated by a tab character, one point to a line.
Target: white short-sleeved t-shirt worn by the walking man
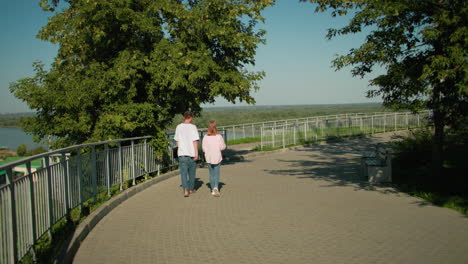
185	135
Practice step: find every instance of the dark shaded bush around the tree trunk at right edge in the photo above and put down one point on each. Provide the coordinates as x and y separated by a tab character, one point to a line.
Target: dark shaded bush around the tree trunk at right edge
412	169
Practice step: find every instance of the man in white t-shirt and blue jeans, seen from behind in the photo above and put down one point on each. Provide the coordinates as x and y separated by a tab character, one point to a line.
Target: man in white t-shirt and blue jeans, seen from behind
187	137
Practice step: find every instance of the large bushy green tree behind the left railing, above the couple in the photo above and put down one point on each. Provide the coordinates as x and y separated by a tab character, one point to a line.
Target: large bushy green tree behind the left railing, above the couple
125	68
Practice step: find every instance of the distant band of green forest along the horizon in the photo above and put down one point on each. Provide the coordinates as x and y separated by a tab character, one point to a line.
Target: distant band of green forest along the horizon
246	114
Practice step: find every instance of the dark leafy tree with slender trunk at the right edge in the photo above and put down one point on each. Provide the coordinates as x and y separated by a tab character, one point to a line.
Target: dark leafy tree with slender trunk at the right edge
422	46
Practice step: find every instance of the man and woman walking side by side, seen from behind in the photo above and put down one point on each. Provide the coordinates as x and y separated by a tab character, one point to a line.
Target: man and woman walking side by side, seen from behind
187	138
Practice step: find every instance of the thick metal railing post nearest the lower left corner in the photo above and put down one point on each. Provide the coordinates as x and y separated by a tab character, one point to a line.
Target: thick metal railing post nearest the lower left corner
13	223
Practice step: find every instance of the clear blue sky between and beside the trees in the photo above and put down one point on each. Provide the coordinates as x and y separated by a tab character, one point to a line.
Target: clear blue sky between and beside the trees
296	57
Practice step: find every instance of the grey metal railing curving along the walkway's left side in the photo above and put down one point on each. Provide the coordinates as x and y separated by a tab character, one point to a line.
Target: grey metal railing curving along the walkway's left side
31	204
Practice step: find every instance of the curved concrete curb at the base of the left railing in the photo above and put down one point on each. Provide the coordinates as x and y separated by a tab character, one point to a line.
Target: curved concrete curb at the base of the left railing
72	244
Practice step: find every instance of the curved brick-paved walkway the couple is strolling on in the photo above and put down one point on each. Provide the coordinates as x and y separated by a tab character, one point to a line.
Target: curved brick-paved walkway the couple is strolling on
307	205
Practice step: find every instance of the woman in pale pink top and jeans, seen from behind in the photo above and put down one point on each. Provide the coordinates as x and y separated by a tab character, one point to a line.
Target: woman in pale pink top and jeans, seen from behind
212	145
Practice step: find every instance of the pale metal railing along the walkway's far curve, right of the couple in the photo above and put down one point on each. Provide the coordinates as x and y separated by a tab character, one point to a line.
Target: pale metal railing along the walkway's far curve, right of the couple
293	133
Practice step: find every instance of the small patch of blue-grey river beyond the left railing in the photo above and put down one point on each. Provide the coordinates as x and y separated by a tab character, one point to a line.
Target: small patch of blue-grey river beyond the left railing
13	137
